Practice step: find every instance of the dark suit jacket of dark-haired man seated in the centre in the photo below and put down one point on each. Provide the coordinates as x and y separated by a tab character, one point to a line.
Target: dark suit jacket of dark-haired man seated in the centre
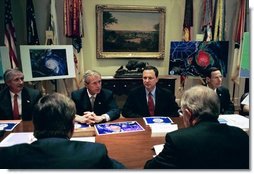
136	103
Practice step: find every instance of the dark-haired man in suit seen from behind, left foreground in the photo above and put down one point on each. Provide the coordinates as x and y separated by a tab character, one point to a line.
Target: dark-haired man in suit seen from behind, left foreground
53	120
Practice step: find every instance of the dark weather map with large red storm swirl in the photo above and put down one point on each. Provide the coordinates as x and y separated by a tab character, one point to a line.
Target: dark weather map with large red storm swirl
193	58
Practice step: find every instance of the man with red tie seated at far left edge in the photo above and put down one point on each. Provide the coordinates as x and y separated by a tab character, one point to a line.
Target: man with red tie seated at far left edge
26	97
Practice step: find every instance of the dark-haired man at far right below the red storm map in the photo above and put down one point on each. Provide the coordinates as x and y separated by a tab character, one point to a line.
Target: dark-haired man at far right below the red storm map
214	81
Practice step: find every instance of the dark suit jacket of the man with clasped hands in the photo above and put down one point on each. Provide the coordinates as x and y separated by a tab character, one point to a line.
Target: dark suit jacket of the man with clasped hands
104	103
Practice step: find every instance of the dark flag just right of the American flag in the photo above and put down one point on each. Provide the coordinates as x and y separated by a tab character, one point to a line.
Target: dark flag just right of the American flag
32	35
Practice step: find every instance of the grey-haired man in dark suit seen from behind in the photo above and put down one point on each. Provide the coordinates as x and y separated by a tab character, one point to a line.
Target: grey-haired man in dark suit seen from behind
204	143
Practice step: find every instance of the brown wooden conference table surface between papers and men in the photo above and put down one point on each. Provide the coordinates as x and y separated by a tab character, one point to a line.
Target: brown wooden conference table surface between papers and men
131	149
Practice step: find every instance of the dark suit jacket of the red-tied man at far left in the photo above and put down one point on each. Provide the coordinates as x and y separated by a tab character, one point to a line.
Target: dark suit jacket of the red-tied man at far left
29	98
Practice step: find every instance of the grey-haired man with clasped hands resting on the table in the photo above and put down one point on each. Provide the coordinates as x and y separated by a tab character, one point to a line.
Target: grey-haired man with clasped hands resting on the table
94	104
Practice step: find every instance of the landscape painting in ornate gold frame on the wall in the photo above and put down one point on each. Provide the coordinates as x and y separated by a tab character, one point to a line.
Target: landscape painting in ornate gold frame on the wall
130	32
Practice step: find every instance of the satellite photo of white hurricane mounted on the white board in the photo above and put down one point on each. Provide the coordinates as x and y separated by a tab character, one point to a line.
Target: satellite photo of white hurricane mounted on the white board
48	62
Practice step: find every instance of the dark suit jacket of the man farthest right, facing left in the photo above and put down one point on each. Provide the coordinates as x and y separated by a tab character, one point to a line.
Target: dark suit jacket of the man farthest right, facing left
226	105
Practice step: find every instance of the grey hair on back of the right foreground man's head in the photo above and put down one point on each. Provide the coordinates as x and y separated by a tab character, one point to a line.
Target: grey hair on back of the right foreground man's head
202	101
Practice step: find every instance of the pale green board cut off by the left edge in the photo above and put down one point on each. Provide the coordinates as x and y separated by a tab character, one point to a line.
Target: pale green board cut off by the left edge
5	62
